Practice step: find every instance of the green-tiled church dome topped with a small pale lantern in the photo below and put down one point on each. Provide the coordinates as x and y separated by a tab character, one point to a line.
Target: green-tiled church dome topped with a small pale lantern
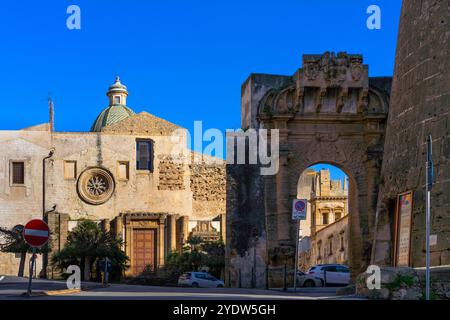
117	109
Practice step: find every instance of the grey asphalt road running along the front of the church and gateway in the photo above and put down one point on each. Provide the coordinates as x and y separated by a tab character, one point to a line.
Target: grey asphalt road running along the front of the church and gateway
11	288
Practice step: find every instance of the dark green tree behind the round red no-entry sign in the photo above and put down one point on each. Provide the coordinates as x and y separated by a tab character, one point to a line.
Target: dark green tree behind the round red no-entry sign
11	241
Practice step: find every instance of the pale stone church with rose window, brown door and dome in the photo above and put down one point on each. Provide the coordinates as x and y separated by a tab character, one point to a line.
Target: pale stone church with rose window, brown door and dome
124	174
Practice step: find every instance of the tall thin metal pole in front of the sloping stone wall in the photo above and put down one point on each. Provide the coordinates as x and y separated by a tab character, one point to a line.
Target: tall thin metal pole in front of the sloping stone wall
429	182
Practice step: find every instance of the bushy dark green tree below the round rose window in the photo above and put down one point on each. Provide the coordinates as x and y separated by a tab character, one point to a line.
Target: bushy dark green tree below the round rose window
86	245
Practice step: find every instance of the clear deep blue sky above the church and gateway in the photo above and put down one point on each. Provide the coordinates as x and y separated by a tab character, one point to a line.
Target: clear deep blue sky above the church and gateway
181	60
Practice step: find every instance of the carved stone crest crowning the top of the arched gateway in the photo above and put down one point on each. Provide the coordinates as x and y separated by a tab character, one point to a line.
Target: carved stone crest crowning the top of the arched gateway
333	84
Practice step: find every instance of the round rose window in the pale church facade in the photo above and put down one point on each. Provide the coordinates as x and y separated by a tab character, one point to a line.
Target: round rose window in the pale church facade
96	186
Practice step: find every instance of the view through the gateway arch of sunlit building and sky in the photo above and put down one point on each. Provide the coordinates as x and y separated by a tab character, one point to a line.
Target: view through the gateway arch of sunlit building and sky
324	235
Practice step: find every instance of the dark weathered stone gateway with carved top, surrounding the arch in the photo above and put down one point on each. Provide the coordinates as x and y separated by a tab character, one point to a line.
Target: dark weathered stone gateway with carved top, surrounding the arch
328	111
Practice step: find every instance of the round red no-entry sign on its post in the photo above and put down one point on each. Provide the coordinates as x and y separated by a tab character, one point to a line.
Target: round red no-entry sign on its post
36	234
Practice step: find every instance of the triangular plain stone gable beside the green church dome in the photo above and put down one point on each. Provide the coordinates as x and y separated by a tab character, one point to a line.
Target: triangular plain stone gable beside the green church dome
142	124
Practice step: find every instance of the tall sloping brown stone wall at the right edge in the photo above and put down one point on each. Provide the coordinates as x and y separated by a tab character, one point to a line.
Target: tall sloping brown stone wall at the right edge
419	107
